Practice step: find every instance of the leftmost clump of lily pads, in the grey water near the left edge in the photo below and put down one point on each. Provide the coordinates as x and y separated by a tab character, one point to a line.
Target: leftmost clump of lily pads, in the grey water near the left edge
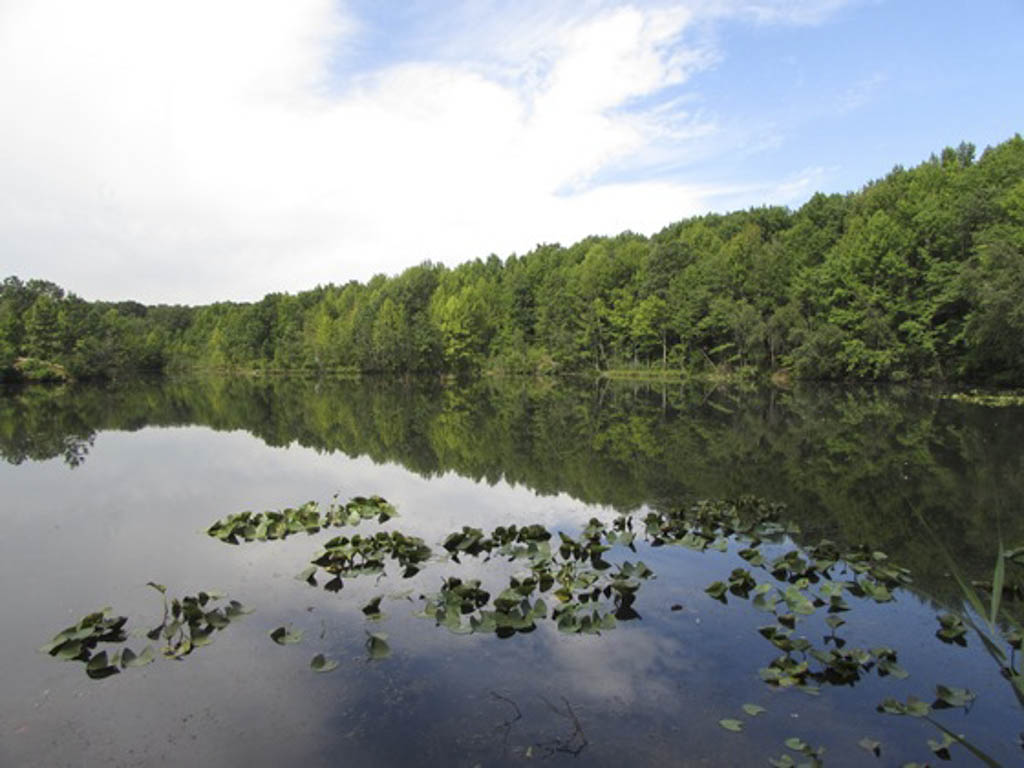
188	624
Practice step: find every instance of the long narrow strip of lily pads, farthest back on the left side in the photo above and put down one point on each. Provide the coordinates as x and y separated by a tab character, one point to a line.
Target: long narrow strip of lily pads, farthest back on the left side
277	525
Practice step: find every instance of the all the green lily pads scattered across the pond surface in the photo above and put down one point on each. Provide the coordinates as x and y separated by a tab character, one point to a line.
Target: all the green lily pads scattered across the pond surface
570	581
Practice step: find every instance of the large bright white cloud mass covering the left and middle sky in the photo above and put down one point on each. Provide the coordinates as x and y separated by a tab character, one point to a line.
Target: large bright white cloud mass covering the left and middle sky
195	151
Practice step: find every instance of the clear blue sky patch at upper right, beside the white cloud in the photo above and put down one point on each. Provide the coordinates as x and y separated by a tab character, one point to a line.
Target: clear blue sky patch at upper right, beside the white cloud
874	86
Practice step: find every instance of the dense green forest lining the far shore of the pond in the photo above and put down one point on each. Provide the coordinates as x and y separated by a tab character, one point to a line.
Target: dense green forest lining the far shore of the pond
917	276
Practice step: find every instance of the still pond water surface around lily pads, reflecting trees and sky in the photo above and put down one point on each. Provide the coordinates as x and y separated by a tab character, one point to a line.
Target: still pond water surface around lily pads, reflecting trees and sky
107	489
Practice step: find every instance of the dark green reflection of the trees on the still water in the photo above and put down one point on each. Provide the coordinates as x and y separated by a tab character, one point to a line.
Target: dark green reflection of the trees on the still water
848	462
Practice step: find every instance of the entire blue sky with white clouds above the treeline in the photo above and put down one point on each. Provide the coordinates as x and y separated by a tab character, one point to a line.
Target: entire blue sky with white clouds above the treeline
197	151
